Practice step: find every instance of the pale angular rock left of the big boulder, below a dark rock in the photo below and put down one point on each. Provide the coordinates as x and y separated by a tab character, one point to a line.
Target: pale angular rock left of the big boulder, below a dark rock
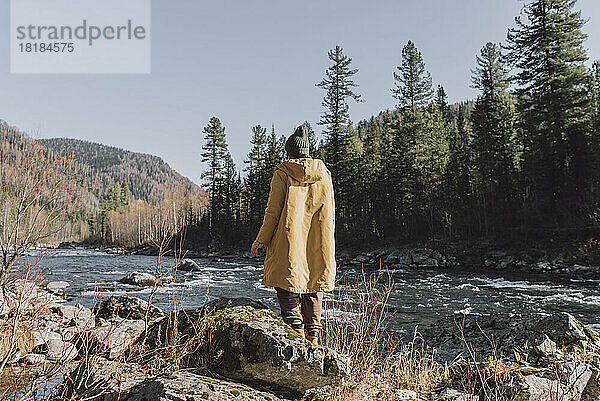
115	337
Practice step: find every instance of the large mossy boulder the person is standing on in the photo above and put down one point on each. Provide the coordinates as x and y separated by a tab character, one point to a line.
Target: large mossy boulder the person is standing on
255	345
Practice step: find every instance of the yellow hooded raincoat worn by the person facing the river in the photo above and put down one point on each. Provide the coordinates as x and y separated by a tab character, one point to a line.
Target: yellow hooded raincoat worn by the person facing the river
298	228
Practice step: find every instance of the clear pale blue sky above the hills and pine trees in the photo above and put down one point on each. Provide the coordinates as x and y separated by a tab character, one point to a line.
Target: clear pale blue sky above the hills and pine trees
255	62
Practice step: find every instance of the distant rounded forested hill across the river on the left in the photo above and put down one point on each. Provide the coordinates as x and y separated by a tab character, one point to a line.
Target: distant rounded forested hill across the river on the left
142	171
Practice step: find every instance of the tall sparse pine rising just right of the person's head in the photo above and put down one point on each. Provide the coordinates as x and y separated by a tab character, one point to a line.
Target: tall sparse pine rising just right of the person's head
338	85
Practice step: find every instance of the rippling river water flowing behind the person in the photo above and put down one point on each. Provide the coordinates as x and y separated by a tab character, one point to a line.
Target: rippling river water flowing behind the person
418	295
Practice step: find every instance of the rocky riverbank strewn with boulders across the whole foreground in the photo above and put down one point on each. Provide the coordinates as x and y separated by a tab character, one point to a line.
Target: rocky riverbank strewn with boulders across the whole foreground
237	349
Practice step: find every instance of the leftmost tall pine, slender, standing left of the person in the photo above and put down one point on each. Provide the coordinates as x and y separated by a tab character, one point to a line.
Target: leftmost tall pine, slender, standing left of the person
215	154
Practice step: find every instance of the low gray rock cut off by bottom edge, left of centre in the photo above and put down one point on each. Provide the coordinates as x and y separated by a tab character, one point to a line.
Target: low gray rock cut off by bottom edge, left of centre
185	386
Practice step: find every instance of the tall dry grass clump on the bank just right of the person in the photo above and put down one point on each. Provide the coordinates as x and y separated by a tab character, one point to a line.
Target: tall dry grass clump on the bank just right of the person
357	322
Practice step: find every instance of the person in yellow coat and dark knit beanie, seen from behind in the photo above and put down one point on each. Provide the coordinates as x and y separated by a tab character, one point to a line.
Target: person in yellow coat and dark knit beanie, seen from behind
298	233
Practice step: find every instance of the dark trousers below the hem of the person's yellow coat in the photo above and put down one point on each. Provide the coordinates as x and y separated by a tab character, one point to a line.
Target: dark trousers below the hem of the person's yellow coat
301	310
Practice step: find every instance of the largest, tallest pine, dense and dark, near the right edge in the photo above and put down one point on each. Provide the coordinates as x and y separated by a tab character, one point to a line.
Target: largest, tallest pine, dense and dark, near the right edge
547	48
